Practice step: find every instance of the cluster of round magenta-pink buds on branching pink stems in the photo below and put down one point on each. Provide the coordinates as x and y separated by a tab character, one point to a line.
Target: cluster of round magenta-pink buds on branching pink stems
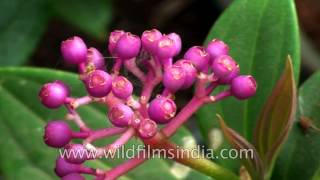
206	67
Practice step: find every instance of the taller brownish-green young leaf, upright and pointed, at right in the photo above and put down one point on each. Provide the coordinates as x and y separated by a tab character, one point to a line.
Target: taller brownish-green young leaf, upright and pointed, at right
276	119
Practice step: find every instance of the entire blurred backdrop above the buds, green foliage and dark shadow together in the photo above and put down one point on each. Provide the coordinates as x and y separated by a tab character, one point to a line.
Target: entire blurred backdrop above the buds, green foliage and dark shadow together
31	31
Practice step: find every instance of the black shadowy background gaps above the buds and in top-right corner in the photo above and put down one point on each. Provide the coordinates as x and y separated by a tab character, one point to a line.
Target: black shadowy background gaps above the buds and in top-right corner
192	19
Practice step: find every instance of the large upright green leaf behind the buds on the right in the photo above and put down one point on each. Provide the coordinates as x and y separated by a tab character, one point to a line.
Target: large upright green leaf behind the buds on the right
260	33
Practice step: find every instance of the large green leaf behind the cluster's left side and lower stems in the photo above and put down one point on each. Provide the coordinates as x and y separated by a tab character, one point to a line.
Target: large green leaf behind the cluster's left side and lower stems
22	118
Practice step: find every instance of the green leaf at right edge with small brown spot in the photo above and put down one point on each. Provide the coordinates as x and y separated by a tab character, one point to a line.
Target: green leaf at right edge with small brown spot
299	158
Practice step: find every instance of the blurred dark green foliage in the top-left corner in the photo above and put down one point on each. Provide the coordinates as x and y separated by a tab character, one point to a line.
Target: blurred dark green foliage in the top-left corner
23	24
